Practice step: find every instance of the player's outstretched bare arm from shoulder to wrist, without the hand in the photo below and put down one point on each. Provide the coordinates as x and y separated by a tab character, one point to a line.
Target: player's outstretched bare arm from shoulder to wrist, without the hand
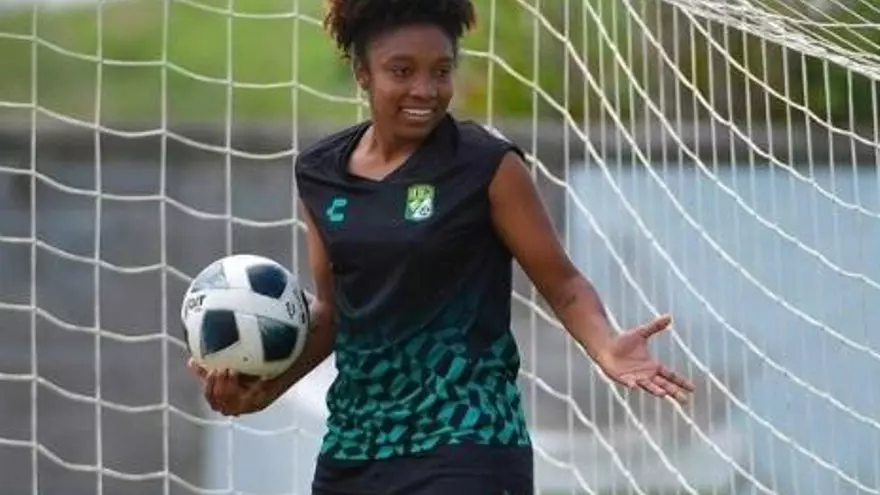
524	225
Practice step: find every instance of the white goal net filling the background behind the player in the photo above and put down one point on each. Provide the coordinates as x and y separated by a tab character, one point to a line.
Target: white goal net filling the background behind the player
716	159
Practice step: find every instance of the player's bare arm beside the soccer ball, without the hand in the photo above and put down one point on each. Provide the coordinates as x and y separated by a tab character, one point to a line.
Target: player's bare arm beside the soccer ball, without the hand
323	332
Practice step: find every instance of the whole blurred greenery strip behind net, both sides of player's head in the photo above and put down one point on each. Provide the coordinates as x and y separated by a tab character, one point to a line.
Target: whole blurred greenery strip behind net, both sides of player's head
270	53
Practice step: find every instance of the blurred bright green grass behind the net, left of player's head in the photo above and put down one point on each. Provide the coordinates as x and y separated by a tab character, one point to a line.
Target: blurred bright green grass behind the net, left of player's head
263	52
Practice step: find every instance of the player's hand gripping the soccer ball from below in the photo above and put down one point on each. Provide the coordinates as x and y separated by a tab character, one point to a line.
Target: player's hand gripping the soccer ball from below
232	395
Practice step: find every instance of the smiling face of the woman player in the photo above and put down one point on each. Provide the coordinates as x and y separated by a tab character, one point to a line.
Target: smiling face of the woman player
408	76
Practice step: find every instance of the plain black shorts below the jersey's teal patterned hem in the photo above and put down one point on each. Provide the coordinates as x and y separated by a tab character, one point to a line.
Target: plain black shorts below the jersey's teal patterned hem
447	470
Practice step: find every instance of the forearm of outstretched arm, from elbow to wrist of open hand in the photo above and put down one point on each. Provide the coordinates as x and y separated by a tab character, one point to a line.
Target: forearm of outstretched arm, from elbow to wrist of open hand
580	310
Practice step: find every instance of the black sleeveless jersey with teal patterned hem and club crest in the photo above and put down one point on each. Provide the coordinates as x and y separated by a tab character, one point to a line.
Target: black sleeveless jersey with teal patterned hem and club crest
422	286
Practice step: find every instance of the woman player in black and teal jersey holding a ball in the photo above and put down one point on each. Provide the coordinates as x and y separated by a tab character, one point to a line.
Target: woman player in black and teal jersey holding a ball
414	219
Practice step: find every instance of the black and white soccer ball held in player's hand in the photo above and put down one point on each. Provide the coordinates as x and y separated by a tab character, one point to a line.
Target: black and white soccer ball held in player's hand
245	313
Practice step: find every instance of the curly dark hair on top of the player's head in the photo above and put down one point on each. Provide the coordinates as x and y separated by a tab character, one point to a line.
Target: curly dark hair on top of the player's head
354	23
